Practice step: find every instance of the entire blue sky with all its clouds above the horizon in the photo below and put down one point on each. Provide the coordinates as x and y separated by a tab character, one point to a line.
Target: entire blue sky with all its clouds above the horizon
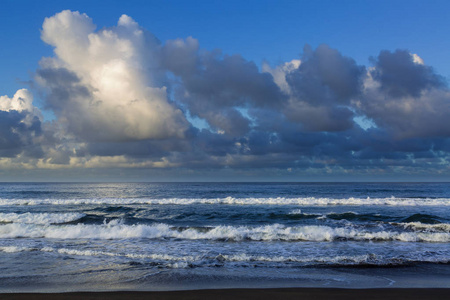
224	90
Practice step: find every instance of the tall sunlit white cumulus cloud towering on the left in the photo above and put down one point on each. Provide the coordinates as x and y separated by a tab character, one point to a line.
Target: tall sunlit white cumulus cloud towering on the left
104	85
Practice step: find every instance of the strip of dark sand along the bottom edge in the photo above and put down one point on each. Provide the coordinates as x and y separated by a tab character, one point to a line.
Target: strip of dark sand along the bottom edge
236	294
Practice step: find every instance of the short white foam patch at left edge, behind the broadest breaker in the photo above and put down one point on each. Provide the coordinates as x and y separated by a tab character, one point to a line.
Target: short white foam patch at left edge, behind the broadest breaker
40	218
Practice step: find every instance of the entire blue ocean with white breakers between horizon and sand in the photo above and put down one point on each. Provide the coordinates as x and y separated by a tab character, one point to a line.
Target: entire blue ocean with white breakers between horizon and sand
167	236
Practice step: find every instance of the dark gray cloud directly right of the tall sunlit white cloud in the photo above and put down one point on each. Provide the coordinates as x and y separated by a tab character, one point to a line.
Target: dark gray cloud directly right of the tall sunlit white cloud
213	86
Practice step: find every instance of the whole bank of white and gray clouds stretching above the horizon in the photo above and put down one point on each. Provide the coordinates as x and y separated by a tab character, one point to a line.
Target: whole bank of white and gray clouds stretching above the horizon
123	99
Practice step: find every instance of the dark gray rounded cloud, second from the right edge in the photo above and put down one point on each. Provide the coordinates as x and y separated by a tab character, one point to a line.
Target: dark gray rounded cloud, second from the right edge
322	87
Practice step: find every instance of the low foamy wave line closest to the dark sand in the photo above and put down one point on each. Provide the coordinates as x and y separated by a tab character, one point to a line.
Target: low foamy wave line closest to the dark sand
212	260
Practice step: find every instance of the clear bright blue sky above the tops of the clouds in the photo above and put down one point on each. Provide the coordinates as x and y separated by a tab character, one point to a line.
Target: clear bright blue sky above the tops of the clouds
275	31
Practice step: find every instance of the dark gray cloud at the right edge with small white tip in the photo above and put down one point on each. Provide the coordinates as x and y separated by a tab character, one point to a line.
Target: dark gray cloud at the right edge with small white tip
405	97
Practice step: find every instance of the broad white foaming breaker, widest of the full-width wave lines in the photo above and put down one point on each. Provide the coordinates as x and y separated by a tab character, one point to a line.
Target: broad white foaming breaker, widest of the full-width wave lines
276	232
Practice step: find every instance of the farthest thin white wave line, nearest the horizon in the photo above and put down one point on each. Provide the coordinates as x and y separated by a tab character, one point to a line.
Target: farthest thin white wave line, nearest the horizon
306	201
